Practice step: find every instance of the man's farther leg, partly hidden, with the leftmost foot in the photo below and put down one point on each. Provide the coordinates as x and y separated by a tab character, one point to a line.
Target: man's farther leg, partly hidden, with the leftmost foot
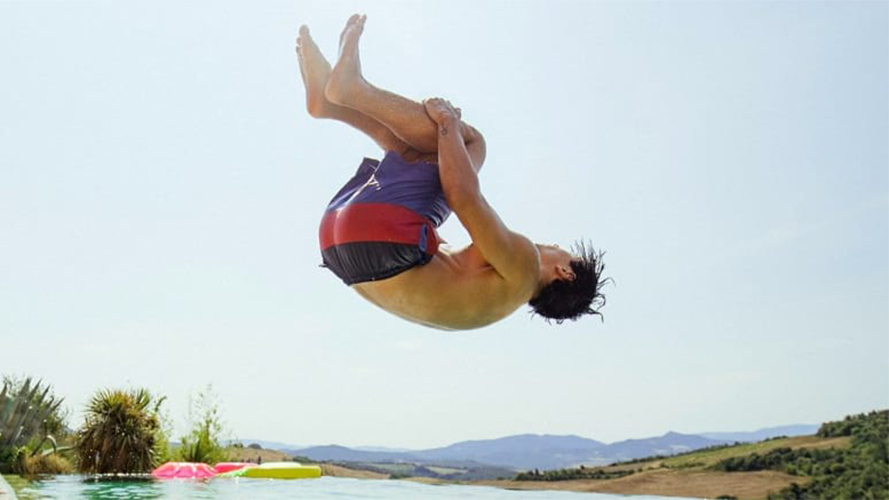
315	71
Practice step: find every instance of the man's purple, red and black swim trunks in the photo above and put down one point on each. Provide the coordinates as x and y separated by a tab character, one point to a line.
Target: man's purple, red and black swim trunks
383	221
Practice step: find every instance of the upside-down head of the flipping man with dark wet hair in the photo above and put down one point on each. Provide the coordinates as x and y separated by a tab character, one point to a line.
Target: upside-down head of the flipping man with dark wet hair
571	283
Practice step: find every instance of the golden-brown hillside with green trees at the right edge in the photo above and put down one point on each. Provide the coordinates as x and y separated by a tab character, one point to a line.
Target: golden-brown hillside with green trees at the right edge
846	459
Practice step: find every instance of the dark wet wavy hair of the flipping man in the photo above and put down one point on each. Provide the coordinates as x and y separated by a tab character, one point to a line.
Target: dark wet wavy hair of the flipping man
564	299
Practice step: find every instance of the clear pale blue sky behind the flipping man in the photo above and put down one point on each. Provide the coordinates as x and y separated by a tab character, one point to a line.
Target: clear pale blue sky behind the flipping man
161	186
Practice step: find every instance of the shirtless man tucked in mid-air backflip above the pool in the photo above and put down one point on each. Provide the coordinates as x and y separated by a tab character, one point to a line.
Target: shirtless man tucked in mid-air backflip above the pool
379	235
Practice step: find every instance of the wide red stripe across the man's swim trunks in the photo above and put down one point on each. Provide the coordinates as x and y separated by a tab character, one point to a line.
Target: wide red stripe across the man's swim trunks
359	222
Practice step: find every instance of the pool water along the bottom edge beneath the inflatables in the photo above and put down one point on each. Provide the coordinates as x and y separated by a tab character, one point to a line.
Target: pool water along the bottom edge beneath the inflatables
325	488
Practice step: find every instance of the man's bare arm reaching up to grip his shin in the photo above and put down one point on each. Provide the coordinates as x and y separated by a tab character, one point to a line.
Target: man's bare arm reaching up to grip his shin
512	255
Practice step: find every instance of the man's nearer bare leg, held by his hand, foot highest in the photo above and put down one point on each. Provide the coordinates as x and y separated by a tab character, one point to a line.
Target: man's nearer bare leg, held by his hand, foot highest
347	87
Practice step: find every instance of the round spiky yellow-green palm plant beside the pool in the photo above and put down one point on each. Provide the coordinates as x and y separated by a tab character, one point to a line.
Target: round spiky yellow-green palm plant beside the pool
120	434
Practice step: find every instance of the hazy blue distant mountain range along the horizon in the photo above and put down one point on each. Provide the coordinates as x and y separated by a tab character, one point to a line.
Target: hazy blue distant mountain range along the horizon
533	451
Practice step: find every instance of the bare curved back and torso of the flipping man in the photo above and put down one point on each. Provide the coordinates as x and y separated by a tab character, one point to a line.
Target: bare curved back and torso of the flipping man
456	290
